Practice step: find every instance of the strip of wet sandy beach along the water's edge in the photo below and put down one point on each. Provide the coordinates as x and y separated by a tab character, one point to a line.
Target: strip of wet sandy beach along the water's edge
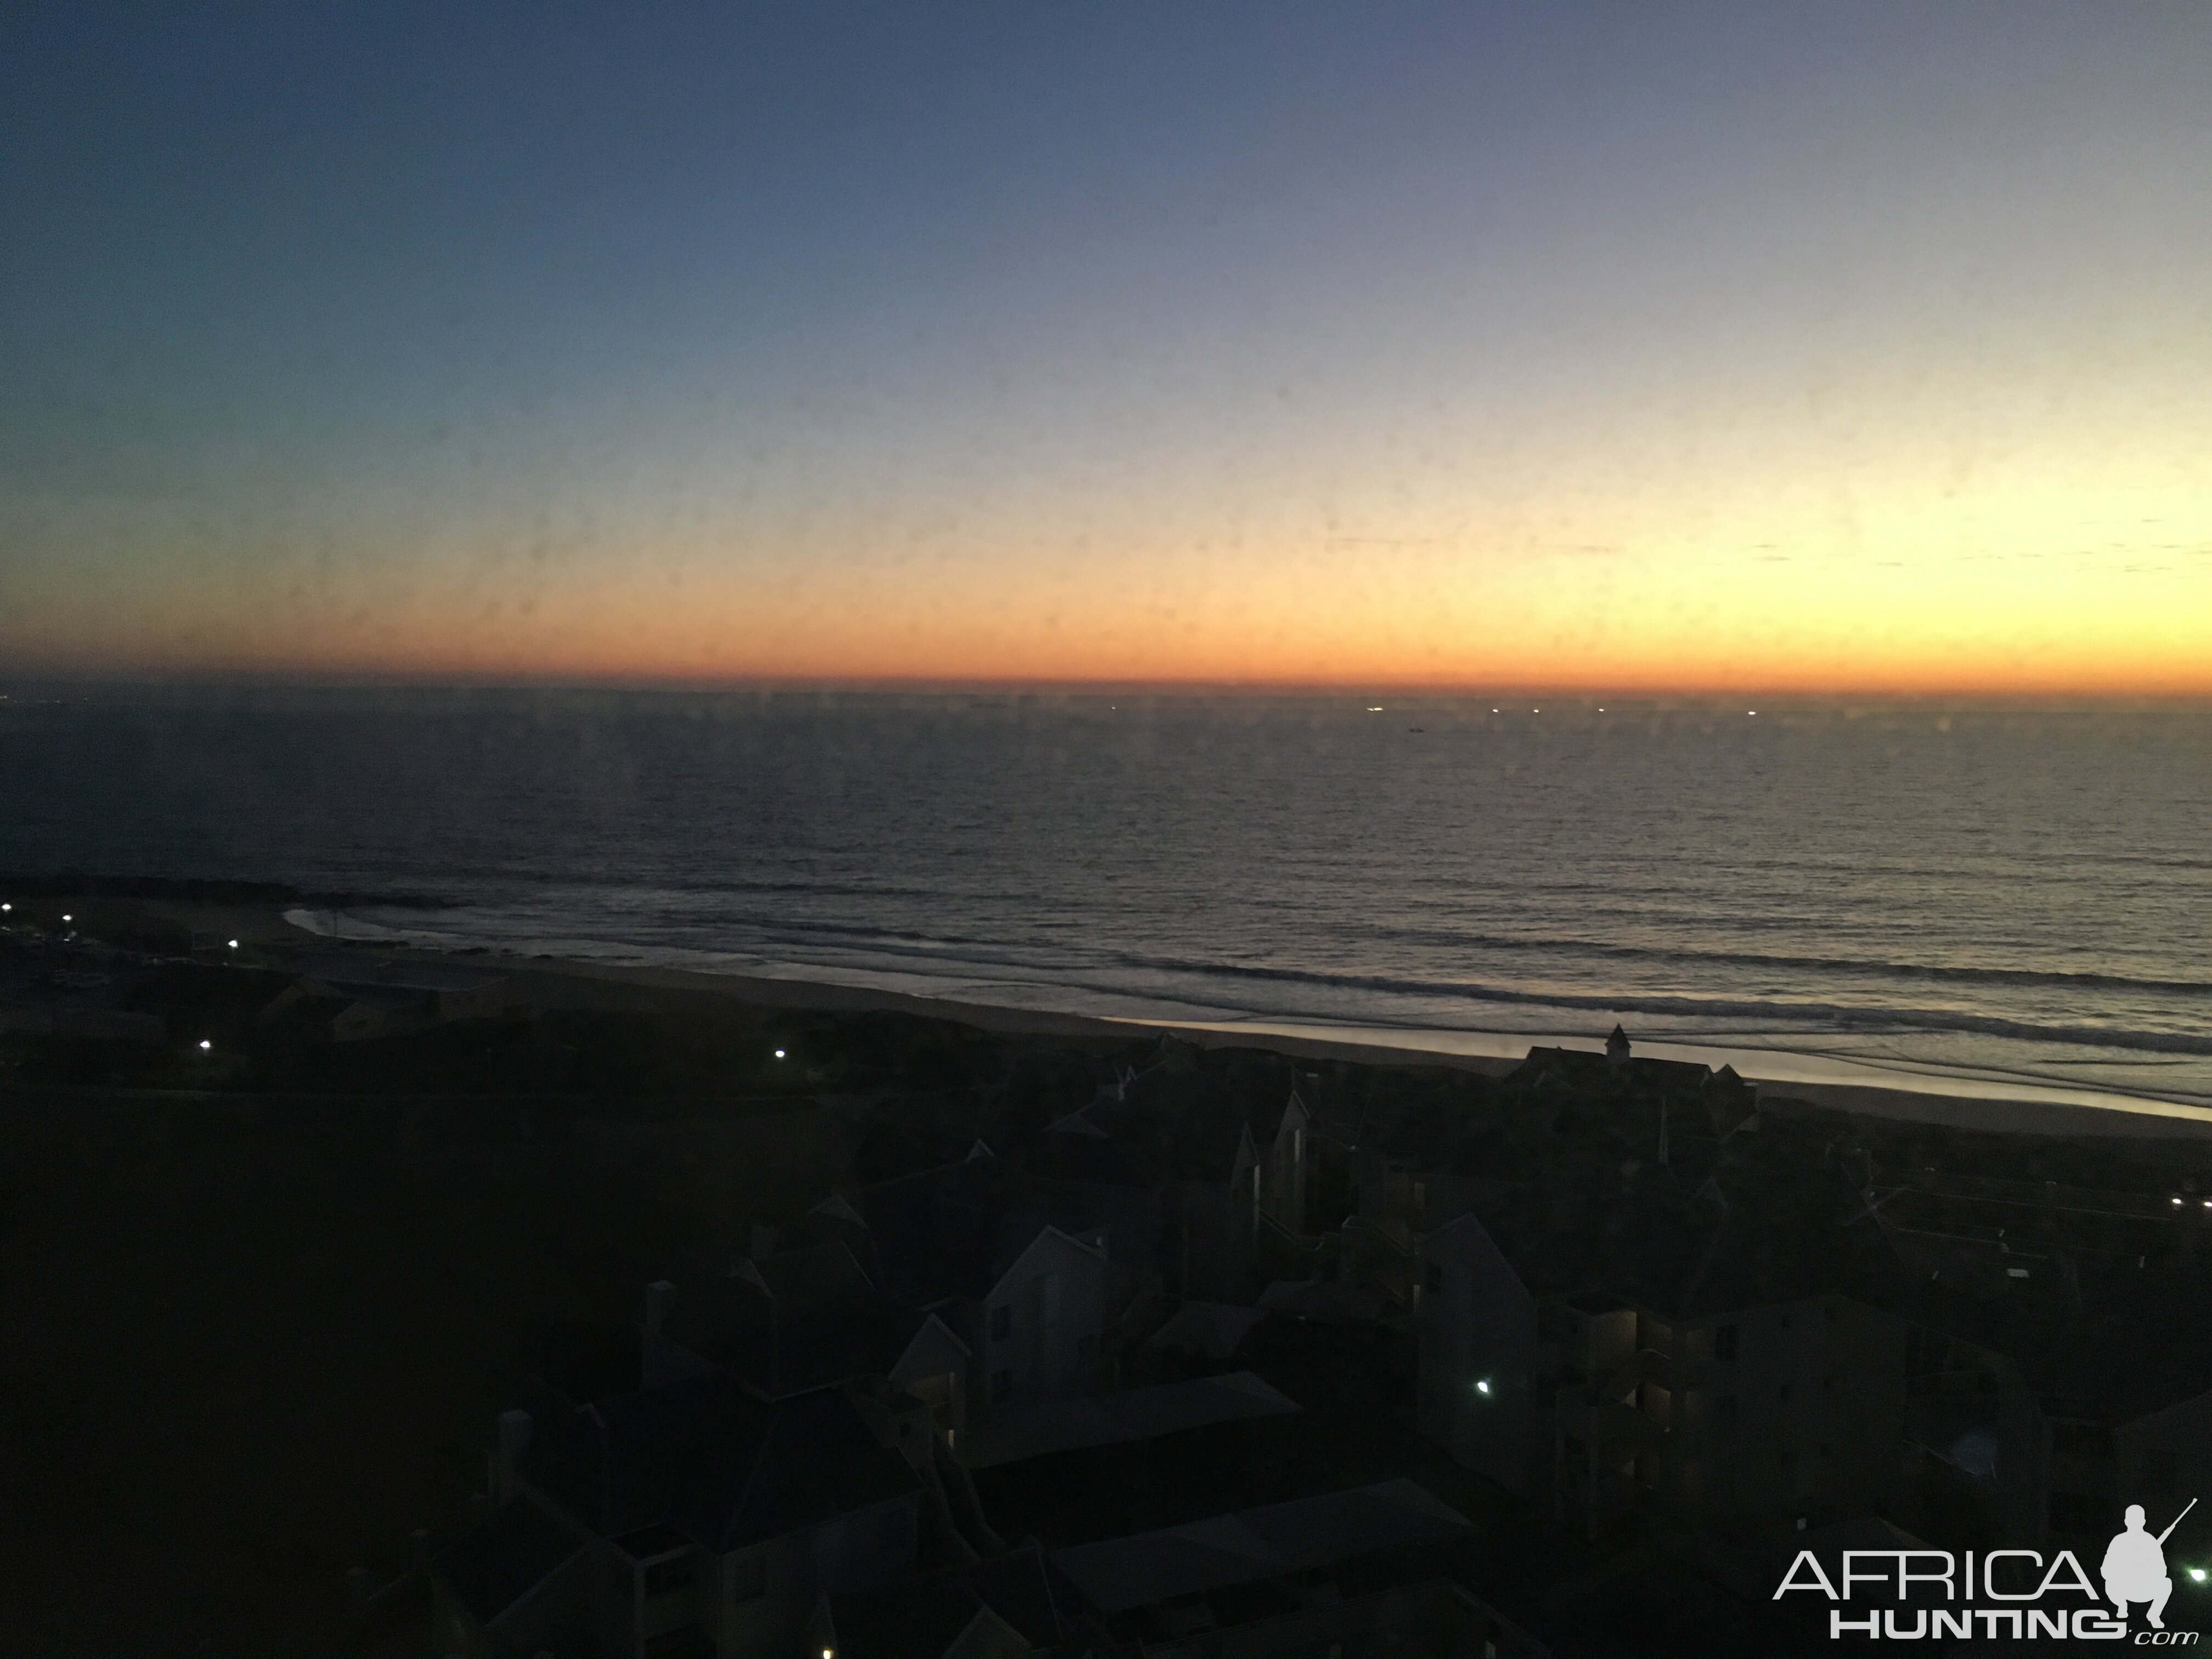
273	939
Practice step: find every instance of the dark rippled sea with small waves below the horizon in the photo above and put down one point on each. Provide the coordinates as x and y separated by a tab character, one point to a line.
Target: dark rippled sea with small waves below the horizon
1999	895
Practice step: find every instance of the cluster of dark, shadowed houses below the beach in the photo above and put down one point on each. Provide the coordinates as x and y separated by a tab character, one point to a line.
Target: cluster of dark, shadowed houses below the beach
1645	1306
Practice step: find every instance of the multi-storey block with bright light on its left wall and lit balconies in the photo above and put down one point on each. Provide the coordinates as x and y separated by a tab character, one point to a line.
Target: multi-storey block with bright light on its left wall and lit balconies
1720	1361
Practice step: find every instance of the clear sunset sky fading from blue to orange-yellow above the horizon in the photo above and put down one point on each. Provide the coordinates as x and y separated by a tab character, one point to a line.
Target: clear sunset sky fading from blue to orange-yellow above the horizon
1567	346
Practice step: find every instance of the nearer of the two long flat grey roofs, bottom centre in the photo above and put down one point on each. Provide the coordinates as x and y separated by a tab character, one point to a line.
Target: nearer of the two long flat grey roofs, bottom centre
1251	1545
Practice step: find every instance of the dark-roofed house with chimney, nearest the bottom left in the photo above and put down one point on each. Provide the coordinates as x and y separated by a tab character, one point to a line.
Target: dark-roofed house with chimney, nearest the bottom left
689	1519
